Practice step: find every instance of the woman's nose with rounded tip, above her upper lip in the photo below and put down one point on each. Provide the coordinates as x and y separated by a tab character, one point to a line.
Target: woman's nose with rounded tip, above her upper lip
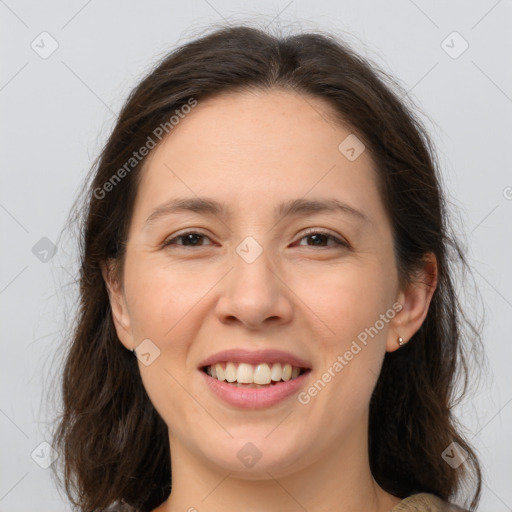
255	295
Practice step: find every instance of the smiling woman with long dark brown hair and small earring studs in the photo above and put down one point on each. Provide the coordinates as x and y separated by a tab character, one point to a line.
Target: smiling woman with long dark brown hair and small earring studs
268	318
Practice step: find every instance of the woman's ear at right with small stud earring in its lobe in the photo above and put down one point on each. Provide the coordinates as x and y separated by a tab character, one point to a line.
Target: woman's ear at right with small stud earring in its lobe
415	300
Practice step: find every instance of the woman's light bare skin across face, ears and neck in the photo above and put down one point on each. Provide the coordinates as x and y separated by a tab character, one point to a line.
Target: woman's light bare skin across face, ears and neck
252	151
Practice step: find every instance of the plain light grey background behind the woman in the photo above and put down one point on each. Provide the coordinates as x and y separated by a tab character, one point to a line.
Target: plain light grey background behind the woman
57	111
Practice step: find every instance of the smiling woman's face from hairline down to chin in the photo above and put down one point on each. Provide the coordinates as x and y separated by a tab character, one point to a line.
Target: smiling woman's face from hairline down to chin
316	283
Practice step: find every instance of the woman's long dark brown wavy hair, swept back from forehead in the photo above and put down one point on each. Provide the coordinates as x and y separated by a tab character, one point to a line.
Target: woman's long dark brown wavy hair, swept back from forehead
114	445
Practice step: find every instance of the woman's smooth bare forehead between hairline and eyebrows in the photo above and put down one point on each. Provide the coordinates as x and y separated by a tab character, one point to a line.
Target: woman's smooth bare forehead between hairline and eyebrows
257	149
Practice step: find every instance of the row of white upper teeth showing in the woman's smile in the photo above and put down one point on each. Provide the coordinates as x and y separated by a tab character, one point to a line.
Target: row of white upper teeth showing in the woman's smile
261	374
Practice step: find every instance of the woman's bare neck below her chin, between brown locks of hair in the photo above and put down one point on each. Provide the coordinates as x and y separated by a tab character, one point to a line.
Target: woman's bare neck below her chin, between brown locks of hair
338	480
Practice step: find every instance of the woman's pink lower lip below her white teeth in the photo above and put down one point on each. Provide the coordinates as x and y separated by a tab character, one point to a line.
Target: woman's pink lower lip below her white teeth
255	398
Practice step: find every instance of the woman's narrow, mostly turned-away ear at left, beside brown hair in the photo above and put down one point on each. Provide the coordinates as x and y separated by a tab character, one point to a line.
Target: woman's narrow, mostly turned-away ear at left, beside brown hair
120	313
